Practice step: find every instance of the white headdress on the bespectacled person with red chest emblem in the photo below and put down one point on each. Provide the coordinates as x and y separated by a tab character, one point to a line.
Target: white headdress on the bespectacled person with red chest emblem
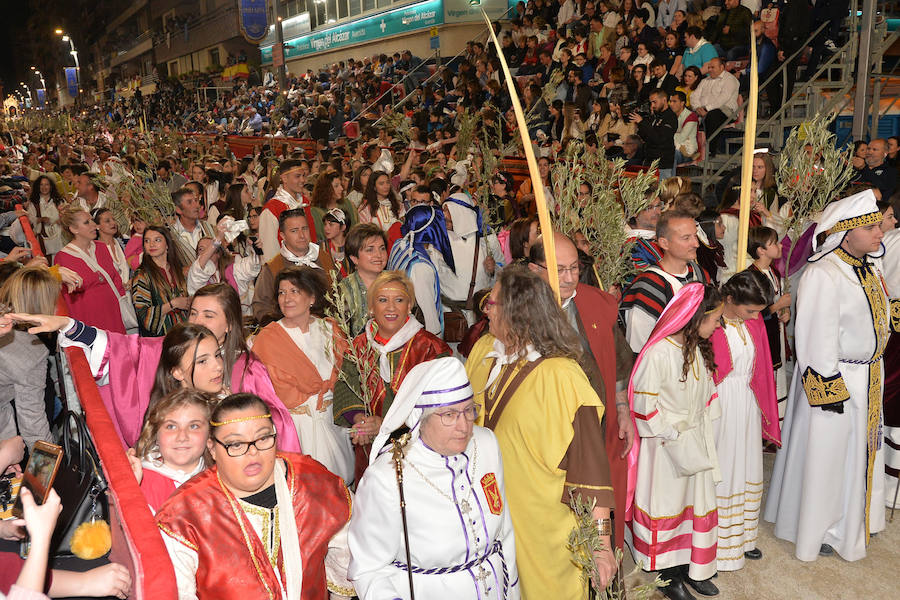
438	382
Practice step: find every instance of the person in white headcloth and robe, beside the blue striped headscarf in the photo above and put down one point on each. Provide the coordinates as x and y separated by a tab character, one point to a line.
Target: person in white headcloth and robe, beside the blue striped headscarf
467	232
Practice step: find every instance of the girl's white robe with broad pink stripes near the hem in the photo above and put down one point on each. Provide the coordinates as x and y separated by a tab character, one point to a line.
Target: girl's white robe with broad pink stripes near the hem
675	513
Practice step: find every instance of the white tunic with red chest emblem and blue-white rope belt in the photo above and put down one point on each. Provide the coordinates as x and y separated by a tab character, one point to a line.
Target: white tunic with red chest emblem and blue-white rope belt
451	523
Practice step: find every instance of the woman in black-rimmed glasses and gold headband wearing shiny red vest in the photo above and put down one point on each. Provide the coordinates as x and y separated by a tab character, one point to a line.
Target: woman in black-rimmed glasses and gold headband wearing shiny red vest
259	523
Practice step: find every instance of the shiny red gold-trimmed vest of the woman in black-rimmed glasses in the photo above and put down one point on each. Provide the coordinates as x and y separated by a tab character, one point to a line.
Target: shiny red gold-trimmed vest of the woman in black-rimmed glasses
232	563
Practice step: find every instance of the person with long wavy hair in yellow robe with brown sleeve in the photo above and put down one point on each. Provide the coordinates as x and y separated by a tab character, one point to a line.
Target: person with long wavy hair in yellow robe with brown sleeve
547	417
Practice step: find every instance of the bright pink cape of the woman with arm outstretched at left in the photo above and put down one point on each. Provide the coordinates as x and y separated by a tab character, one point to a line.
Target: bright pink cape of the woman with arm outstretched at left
132	369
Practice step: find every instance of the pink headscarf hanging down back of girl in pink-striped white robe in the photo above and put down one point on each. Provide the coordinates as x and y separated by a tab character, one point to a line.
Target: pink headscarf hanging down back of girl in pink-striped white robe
672	320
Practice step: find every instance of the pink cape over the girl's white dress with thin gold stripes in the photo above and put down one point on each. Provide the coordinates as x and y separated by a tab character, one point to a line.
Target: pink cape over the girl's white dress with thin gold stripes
762	383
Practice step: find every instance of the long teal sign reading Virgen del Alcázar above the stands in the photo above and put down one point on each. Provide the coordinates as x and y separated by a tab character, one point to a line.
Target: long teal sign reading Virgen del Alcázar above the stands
400	20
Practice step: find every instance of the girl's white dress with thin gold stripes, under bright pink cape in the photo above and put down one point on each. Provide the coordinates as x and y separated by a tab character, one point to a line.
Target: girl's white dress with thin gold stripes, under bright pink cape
738	436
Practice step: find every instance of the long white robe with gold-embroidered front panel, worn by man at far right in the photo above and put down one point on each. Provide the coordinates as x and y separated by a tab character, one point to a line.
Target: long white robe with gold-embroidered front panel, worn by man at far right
824	475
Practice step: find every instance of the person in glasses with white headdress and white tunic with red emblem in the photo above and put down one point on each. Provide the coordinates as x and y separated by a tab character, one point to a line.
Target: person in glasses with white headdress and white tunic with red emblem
461	542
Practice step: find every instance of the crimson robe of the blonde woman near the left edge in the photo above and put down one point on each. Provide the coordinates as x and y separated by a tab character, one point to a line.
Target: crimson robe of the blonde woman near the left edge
94	303
